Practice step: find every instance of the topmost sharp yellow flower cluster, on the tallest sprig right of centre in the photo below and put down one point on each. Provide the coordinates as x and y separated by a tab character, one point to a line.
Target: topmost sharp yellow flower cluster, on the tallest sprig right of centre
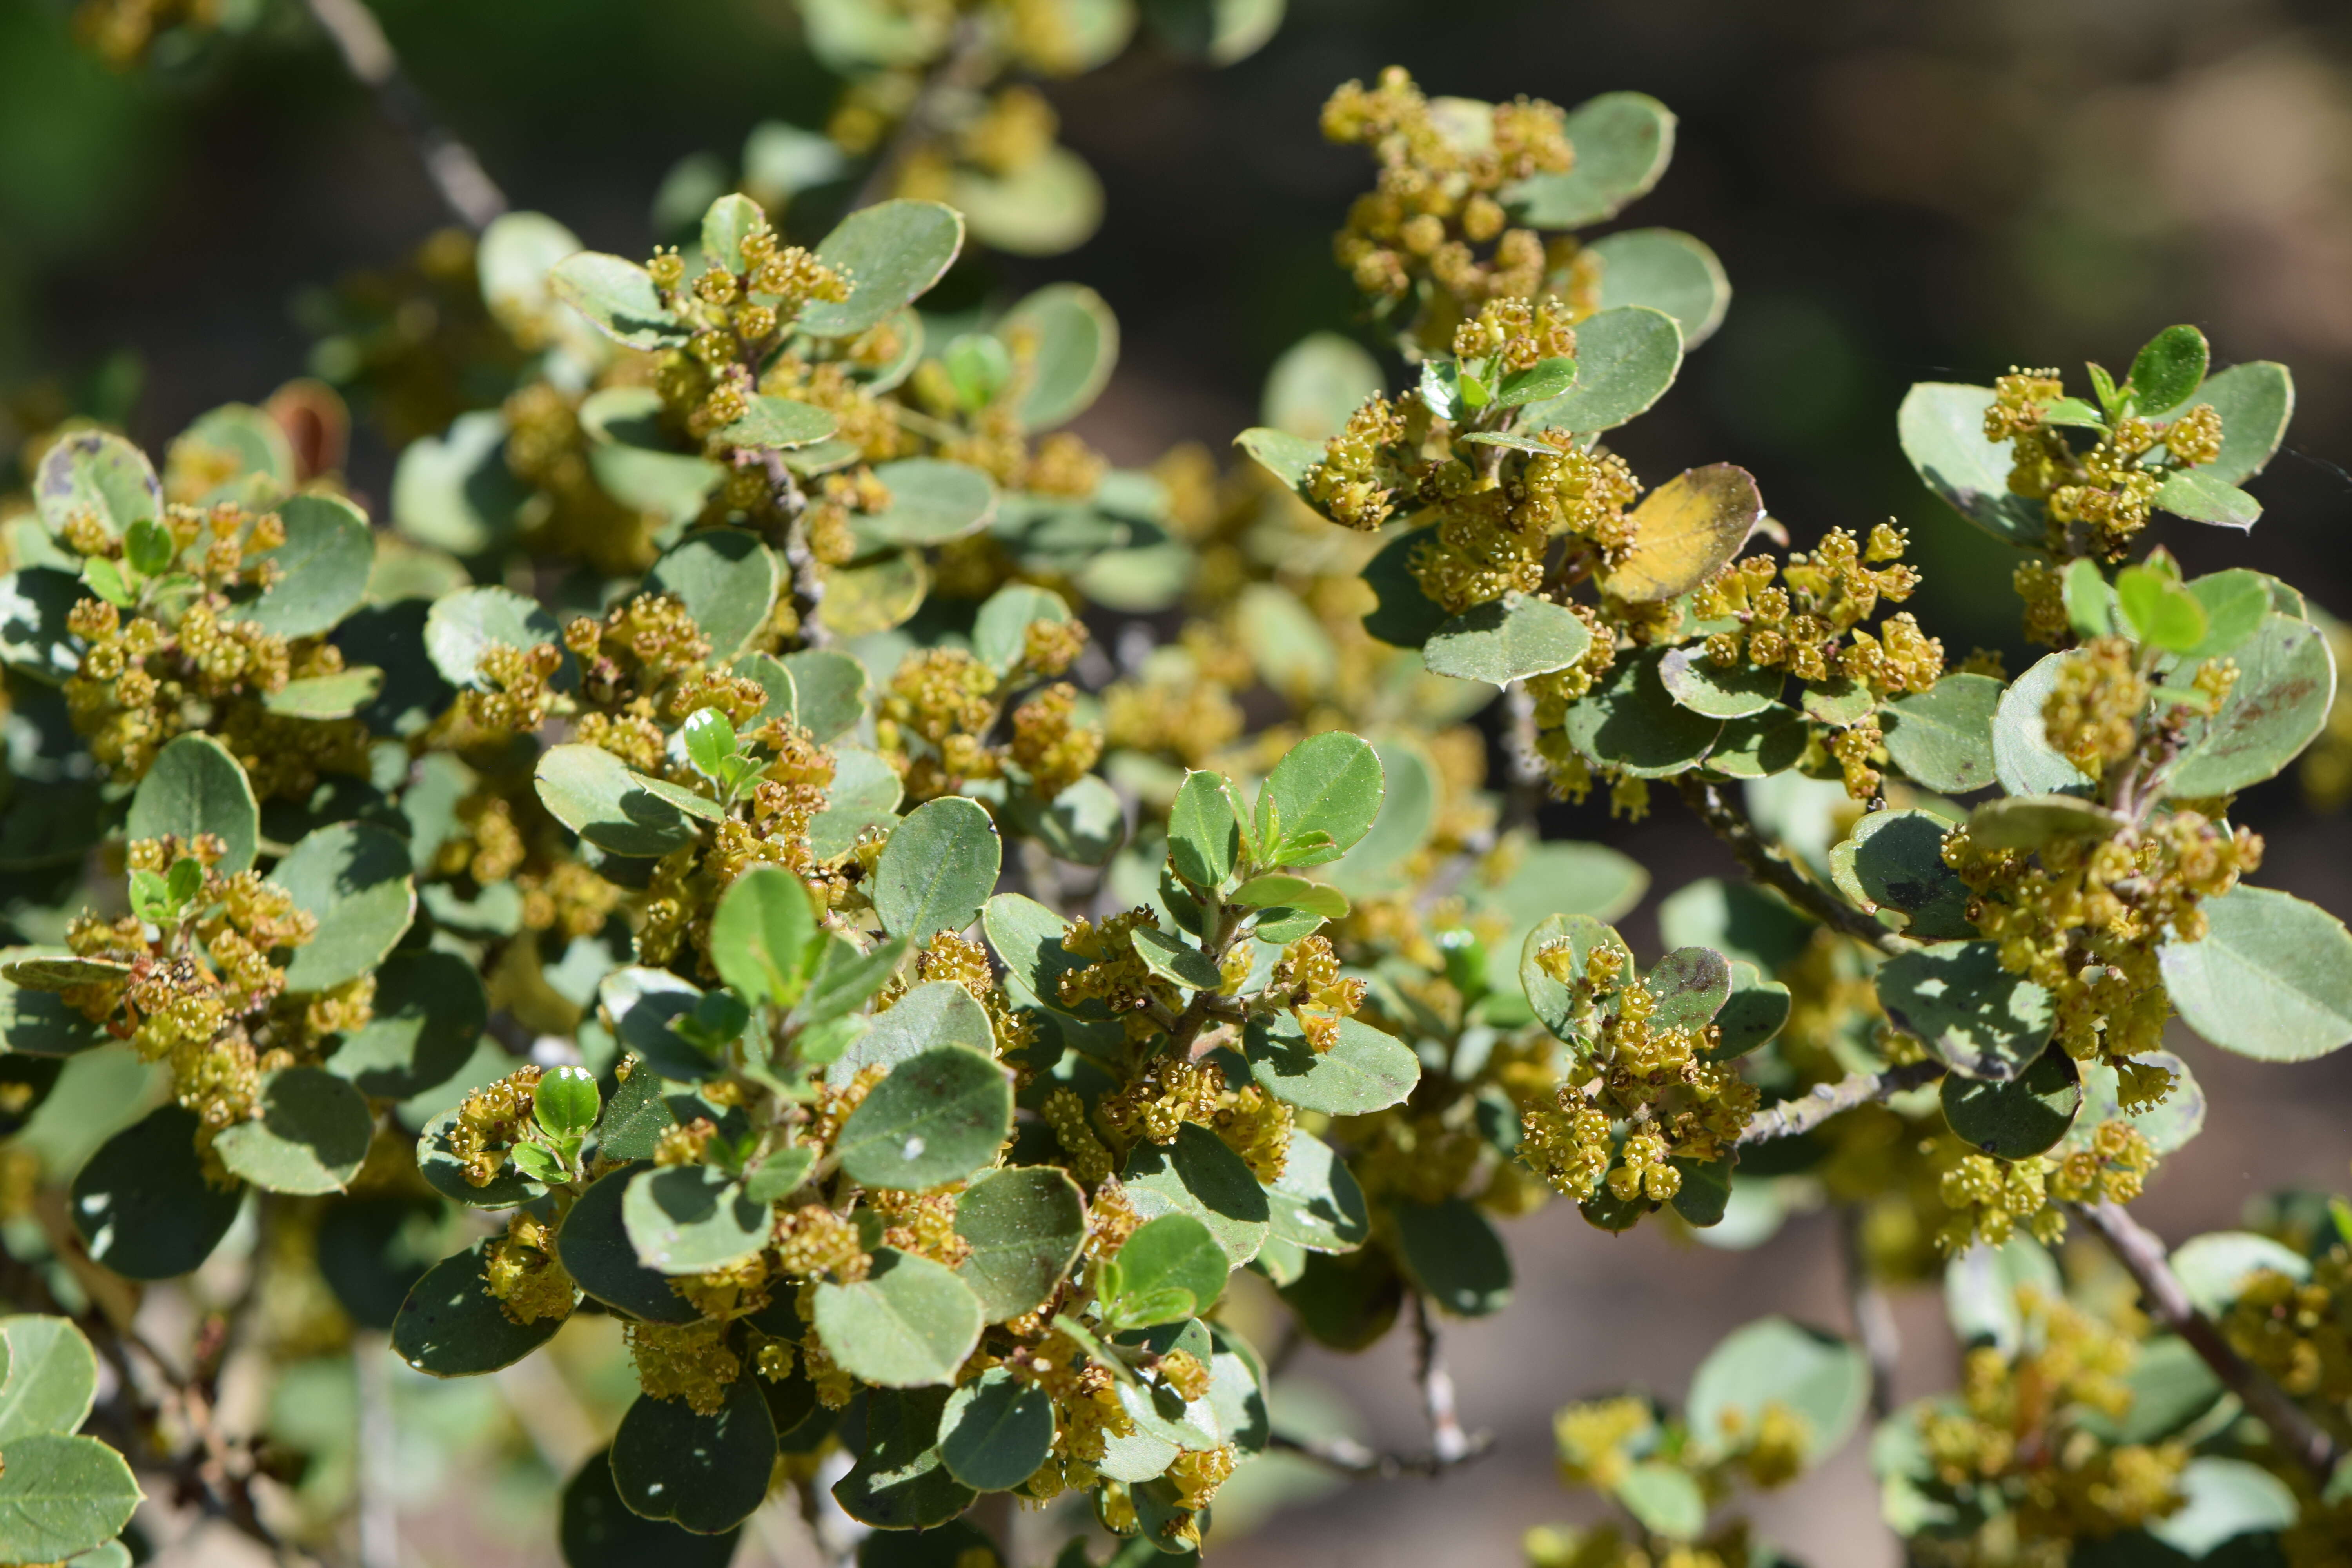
1436	203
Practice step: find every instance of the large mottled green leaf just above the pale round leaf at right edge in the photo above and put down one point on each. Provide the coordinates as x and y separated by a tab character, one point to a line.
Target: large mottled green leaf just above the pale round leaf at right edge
2276	709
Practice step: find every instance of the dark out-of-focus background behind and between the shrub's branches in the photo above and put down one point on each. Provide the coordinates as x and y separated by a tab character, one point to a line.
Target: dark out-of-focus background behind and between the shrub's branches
1899	192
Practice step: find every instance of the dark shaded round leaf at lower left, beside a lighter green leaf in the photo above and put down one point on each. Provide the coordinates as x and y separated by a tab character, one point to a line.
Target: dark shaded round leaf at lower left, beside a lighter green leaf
145	1205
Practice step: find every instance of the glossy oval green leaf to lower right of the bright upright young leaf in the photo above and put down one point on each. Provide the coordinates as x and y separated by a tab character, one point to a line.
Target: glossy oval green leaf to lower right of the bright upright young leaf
935	1120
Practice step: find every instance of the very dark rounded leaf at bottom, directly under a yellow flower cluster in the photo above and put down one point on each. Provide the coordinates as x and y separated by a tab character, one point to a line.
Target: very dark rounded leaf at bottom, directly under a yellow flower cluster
702	1473
